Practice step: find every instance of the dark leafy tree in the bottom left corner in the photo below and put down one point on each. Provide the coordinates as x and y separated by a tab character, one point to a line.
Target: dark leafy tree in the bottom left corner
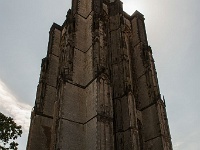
9	132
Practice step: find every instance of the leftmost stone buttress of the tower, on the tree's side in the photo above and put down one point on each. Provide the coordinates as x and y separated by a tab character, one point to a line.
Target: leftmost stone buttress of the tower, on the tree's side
42	115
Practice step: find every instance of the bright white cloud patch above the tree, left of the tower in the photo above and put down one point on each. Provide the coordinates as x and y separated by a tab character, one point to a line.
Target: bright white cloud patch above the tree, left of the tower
10	106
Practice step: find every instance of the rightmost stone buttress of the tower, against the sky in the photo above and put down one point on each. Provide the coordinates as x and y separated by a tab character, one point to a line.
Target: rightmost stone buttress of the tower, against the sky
147	90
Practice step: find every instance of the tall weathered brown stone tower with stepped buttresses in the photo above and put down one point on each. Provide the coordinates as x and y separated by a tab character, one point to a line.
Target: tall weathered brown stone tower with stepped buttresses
98	88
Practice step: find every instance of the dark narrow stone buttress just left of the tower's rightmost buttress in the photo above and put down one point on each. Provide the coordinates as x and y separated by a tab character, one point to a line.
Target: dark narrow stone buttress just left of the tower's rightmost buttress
125	123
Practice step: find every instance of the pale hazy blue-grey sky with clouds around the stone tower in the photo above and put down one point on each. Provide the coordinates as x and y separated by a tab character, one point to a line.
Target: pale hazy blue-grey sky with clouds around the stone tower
173	32
